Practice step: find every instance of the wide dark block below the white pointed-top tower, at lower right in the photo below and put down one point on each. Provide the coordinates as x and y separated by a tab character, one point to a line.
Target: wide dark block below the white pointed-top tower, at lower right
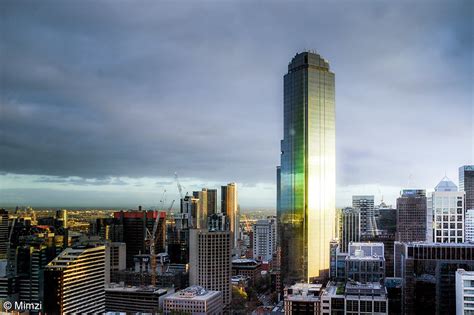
428	272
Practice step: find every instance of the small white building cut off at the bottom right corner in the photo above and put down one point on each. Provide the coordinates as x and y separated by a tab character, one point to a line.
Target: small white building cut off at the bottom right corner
464	292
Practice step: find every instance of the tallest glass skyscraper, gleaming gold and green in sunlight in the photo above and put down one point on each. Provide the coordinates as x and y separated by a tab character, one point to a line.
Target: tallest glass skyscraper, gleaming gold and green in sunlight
307	183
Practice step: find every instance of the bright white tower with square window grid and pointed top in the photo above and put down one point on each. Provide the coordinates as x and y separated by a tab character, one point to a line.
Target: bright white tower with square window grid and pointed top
446	207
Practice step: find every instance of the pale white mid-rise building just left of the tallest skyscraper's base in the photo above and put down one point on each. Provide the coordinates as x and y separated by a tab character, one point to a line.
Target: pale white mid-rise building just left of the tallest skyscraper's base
264	239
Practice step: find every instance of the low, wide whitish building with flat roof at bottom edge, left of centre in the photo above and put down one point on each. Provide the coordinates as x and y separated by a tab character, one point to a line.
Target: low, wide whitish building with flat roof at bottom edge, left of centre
194	300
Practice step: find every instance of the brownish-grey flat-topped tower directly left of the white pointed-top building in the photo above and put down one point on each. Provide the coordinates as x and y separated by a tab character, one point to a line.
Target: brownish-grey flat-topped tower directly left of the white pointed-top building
412	217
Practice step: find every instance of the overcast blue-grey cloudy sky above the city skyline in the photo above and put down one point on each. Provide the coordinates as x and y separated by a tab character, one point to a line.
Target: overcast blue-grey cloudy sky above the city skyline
103	101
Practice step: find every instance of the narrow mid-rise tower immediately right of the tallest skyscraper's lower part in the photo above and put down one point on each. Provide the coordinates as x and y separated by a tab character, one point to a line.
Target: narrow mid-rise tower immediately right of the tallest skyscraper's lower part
349	226
